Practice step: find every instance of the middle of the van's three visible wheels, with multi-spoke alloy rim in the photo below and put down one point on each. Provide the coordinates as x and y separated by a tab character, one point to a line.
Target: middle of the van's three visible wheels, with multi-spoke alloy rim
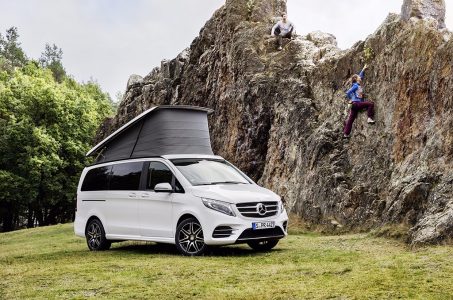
189	238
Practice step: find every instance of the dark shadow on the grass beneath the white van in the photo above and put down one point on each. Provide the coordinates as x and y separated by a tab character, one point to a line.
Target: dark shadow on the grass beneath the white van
168	249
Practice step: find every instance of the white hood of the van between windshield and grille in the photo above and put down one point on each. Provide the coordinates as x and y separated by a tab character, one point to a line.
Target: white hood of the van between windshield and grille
235	193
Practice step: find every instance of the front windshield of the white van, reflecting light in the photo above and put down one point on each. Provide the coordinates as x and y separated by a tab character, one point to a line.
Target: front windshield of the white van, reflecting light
209	172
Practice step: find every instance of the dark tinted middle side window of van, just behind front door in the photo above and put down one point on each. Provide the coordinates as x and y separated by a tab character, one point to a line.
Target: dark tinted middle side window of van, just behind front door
126	176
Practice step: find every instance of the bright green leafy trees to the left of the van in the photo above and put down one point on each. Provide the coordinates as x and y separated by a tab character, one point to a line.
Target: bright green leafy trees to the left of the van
46	127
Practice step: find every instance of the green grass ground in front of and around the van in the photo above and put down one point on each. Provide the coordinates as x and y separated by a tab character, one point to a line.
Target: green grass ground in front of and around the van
51	263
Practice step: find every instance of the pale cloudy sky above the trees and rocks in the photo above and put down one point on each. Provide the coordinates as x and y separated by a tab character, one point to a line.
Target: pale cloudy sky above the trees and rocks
109	40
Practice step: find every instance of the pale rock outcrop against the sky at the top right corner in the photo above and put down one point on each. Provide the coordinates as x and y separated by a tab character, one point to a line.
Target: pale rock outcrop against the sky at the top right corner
423	9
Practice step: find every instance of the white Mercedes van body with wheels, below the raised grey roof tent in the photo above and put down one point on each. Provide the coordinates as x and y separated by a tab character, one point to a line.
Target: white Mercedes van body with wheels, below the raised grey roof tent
190	200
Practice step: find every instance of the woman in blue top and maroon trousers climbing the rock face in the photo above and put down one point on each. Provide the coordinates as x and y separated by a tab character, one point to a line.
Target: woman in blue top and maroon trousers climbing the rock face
357	102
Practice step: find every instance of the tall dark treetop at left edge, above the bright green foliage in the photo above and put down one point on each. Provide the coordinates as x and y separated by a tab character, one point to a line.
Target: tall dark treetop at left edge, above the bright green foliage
11	54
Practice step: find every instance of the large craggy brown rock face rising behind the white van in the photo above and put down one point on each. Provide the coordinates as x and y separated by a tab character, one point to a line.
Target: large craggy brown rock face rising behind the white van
279	116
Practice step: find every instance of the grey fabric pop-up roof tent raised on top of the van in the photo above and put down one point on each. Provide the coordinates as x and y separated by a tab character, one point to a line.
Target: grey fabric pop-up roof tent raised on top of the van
158	131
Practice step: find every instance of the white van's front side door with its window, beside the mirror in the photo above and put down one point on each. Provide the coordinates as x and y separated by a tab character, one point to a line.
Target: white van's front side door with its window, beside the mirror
155	209
